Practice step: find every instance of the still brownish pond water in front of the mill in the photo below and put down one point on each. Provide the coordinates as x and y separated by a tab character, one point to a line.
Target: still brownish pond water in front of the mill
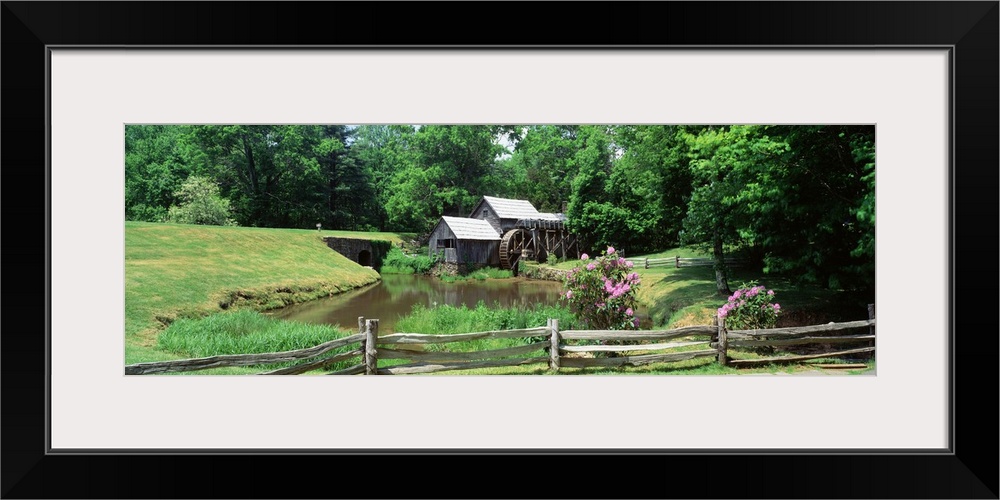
396	294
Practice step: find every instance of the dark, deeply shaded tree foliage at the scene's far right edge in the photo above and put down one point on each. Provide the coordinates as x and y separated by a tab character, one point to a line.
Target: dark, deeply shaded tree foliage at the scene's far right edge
817	218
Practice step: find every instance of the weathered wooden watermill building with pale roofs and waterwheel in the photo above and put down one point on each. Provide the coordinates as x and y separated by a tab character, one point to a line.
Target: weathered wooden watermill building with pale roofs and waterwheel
499	232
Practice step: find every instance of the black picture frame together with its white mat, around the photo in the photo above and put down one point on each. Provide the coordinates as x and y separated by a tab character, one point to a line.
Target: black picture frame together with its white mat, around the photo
923	73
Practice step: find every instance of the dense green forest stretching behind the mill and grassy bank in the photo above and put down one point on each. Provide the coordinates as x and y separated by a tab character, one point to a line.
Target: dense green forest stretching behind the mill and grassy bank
801	199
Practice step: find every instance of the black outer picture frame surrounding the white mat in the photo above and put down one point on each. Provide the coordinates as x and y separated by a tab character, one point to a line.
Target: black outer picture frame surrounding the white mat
969	28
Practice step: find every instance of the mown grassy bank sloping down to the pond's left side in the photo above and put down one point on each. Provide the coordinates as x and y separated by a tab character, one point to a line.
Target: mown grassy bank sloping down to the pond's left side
175	271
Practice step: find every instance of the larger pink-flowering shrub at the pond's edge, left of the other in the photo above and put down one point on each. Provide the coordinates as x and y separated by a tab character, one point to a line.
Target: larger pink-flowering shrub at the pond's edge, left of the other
602	291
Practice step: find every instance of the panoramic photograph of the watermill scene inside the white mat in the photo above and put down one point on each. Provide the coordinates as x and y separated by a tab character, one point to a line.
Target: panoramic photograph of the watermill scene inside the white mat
456	249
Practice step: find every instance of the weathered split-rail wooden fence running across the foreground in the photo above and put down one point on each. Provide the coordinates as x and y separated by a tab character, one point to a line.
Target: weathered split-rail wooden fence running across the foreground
373	348
